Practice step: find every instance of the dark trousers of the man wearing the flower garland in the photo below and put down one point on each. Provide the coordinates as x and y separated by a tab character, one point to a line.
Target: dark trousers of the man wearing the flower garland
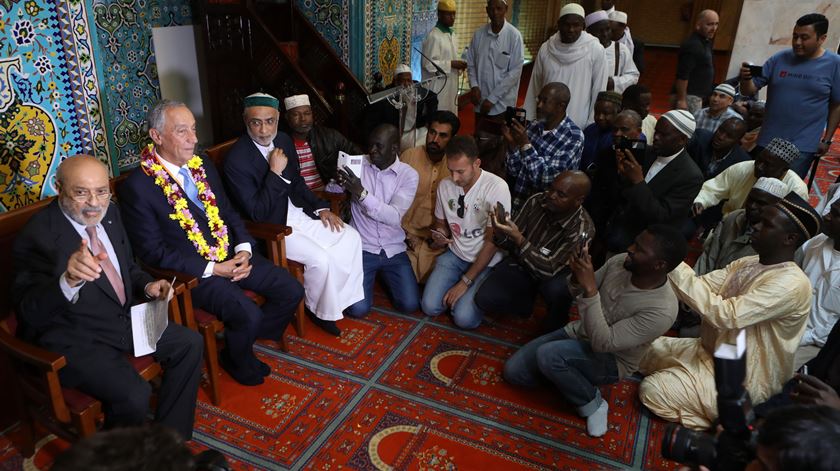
244	320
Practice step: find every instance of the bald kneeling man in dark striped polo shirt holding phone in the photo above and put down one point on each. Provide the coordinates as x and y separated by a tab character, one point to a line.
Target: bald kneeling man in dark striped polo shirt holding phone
539	240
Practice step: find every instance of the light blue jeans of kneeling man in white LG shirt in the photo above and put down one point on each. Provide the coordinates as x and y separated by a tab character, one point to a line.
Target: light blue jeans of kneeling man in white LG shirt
448	271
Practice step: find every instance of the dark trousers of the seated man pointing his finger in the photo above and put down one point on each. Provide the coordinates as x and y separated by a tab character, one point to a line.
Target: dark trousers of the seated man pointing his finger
104	372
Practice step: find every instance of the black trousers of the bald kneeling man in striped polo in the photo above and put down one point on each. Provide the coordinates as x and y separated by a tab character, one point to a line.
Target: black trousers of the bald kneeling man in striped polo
510	289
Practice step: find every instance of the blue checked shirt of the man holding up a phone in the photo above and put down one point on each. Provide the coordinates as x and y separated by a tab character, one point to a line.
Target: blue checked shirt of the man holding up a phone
552	151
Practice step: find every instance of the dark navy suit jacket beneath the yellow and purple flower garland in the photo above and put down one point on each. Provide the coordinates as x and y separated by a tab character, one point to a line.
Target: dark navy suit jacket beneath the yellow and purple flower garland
158	240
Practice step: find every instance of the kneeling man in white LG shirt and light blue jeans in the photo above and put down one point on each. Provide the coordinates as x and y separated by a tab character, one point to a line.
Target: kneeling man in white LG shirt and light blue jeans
462	223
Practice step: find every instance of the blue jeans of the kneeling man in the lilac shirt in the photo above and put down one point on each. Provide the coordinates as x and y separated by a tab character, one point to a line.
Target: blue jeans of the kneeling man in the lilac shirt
398	278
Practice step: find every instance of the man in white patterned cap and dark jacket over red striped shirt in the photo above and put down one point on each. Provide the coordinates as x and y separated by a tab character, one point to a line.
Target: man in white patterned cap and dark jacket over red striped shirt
314	143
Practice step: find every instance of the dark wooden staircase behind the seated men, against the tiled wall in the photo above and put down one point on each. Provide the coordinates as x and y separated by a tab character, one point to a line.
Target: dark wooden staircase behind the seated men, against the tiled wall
269	46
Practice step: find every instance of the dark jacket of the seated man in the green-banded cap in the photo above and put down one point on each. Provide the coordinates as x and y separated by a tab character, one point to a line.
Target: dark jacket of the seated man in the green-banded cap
259	192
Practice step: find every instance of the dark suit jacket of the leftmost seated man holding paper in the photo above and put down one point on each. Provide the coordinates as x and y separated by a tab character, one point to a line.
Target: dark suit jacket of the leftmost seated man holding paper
40	254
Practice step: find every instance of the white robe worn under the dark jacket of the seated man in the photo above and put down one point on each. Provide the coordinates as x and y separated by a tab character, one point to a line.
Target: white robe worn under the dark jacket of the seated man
333	277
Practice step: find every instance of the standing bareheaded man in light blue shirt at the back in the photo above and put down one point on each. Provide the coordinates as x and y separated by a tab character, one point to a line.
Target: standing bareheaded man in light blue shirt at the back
494	63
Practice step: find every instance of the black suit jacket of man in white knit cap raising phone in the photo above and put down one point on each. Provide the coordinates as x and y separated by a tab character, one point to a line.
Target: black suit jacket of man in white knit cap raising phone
665	199
